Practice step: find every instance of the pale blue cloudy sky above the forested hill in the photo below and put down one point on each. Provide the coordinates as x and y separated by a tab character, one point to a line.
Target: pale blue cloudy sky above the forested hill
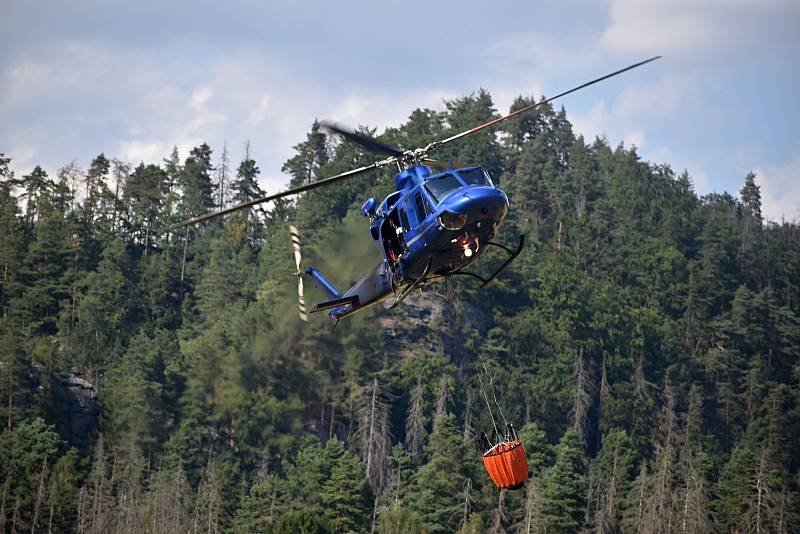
132	79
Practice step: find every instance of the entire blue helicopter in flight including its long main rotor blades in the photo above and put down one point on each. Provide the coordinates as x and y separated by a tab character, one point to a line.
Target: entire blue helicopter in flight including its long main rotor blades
433	226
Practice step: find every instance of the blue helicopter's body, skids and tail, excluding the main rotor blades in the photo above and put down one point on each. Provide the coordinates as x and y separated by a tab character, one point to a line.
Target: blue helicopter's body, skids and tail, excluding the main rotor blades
433	226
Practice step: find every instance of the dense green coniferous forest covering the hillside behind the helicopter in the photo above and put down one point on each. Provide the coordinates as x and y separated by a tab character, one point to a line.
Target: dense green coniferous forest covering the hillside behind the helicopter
645	344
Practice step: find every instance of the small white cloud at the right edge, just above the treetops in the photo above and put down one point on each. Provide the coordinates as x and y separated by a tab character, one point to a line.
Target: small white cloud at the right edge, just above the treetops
780	190
